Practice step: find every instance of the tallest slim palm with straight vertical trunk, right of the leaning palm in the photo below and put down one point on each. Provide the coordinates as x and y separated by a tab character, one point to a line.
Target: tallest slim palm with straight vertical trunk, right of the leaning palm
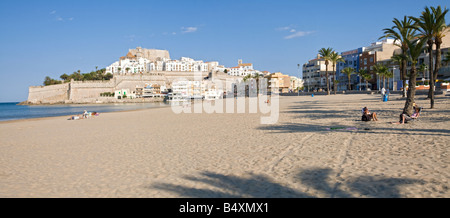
426	25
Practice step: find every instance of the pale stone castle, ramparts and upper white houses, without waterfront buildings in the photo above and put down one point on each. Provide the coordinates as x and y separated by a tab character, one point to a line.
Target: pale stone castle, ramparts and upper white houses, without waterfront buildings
131	79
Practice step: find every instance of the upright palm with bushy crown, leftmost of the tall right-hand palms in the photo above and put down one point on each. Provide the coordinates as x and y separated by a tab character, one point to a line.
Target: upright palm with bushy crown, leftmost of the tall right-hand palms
400	32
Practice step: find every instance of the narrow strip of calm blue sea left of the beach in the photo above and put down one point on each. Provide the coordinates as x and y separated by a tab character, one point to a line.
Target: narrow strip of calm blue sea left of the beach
12	111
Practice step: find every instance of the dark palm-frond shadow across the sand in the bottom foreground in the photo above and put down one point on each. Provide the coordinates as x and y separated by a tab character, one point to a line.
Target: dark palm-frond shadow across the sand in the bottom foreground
261	186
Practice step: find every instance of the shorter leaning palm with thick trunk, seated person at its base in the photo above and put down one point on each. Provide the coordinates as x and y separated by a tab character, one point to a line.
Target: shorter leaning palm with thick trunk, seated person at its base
415	49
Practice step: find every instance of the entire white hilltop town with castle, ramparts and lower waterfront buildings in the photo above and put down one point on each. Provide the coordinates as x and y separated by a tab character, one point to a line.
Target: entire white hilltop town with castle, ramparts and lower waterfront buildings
148	75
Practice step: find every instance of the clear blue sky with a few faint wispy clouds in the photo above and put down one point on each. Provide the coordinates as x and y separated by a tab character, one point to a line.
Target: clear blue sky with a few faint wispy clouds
53	37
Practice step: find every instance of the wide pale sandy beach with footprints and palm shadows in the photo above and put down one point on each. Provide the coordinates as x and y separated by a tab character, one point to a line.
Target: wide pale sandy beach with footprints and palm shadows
156	153
